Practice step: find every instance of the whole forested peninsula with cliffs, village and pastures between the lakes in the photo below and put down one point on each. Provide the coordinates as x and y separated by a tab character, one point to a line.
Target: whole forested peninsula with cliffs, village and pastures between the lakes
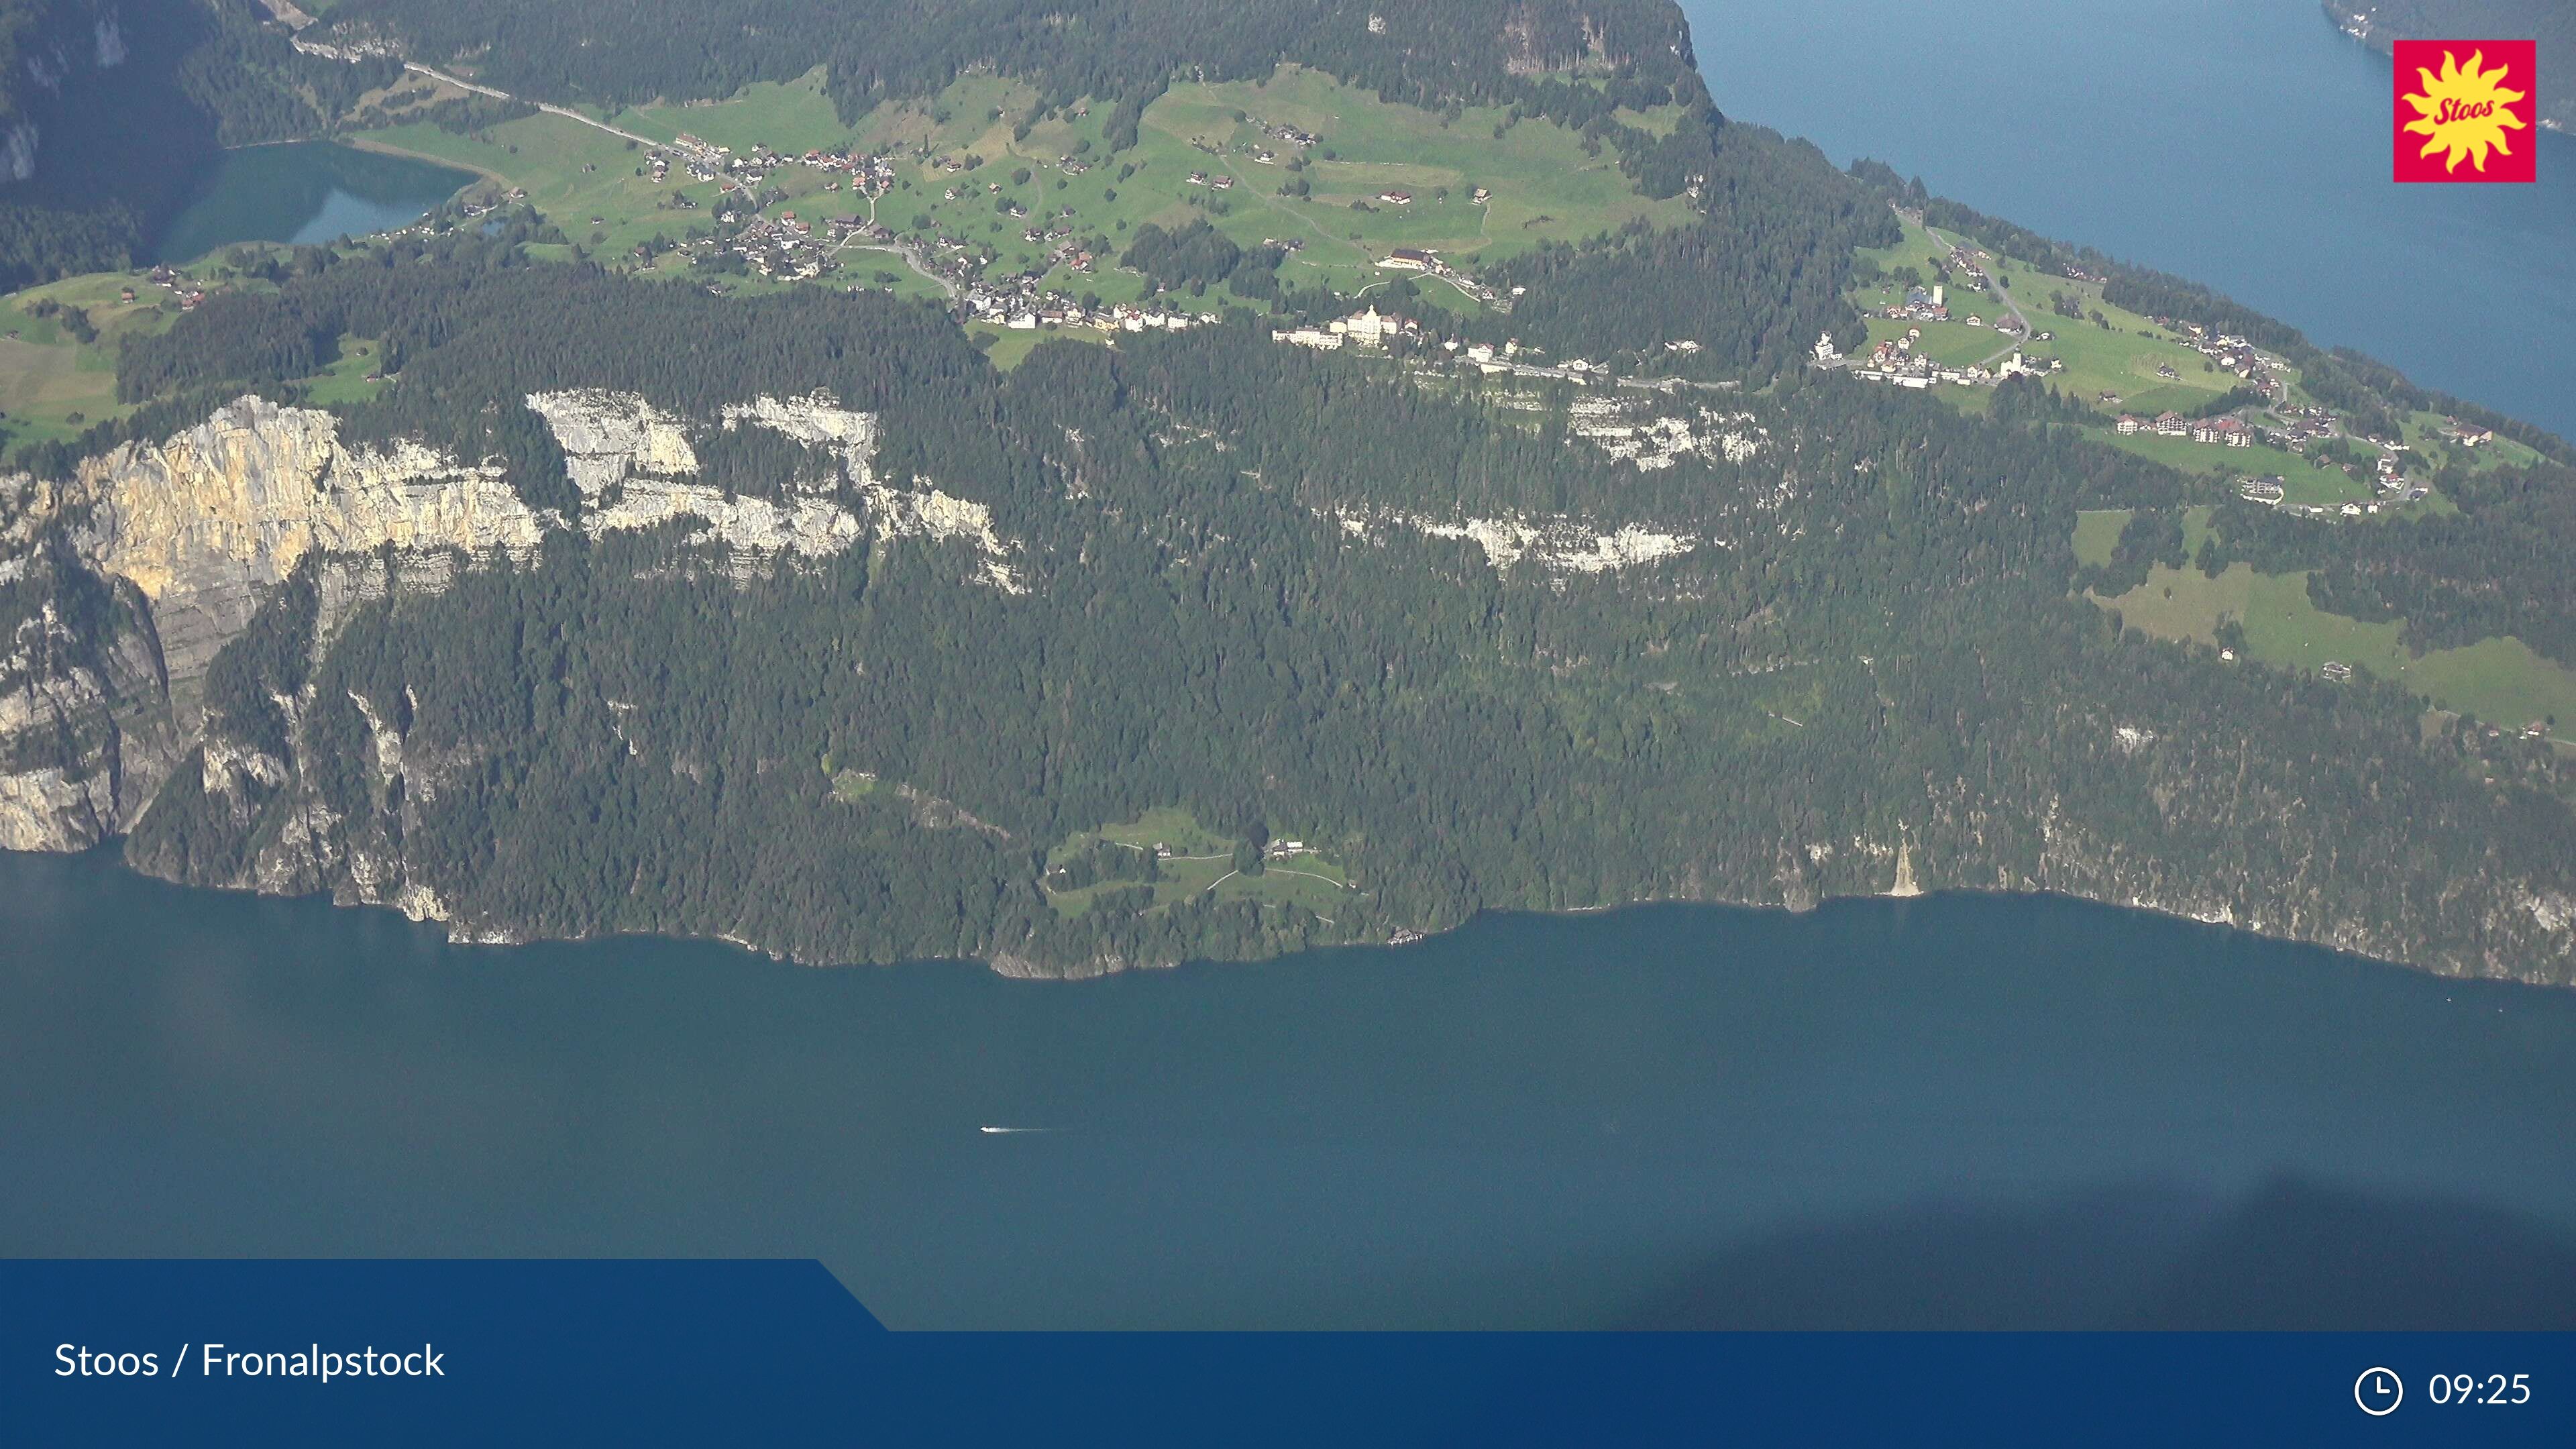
565	571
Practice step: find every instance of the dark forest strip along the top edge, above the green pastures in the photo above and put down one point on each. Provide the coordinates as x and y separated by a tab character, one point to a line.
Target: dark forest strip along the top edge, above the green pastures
1104	50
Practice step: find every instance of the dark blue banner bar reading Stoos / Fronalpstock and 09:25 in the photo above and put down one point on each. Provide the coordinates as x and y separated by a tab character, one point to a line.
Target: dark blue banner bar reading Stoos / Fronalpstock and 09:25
764	1352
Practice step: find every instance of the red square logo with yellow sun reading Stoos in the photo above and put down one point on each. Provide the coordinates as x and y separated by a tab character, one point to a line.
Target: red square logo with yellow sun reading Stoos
2467	112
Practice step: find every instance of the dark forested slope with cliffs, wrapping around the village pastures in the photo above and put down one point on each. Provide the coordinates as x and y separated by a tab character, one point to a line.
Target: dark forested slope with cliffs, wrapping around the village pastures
795	620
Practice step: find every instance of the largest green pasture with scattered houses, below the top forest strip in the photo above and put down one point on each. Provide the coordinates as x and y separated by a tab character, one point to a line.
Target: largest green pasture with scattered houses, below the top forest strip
978	151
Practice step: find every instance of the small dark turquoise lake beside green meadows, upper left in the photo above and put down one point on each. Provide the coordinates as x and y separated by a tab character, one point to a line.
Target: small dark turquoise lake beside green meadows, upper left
305	192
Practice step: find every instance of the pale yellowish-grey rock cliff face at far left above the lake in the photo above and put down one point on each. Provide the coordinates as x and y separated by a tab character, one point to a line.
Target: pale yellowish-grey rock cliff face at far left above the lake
122	587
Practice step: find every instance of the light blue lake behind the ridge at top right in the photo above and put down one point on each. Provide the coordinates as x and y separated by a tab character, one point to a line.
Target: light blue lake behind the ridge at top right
2240	143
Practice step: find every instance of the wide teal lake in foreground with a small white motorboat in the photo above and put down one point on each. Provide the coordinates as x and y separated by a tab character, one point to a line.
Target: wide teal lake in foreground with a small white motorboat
1933	1113
